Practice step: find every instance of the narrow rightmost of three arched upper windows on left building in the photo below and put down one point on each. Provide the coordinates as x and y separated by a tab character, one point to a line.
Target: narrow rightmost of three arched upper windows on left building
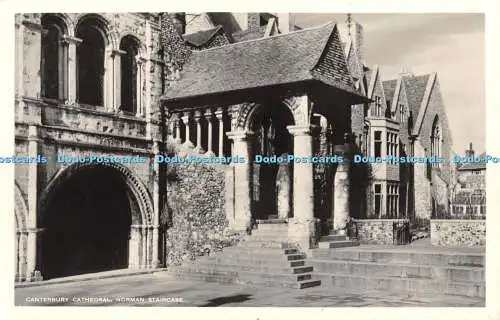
129	74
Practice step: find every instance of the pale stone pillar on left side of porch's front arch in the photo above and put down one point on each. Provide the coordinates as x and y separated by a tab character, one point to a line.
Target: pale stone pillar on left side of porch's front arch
242	181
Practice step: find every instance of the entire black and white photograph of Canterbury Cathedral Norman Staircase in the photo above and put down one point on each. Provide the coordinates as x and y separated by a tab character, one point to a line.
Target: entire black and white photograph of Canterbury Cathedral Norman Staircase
249	159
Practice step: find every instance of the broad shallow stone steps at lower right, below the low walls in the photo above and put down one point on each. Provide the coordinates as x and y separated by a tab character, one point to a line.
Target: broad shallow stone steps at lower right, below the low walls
400	271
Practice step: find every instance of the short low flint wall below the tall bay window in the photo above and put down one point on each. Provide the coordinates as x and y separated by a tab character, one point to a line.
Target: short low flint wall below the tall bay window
375	231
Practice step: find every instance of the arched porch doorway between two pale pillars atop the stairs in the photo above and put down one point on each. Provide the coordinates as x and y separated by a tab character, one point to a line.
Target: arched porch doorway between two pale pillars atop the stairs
272	181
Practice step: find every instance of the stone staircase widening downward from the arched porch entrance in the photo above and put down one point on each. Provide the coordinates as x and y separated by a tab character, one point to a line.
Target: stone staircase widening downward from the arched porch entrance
264	258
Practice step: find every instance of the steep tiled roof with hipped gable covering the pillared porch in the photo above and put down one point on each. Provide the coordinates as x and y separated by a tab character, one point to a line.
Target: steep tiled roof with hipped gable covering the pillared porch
312	54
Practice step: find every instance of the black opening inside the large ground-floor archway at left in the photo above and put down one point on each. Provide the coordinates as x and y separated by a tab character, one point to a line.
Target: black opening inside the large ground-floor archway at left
87	224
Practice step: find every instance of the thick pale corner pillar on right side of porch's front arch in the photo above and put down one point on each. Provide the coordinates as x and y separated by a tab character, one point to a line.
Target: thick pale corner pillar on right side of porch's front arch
302	228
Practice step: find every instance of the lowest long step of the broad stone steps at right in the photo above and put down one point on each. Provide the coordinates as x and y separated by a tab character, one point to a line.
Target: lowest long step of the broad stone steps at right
397	284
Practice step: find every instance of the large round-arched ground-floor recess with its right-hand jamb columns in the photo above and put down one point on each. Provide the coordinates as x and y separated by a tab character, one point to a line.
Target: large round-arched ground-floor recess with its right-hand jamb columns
95	218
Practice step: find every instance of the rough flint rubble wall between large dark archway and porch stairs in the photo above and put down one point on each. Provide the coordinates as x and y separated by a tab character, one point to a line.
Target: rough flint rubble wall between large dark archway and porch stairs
197	223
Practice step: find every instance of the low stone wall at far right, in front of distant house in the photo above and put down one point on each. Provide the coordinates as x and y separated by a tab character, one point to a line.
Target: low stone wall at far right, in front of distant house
458	233
